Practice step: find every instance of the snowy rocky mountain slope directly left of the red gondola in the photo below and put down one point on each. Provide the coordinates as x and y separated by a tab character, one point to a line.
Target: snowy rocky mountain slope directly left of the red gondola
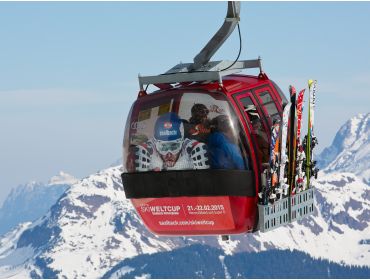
90	229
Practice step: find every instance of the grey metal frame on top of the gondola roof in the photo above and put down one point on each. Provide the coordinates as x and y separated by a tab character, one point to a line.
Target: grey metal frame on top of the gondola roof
212	71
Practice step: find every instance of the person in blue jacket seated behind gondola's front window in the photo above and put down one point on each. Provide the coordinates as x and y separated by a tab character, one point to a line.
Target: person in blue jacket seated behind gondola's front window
224	153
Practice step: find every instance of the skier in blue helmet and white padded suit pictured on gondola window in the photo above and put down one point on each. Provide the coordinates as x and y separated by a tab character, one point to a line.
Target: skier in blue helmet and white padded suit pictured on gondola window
168	149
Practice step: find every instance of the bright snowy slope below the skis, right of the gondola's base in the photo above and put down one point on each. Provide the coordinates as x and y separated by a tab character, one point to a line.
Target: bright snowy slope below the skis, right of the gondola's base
340	228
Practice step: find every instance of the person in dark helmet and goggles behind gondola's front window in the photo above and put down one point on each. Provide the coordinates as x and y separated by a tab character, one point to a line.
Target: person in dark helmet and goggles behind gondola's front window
198	126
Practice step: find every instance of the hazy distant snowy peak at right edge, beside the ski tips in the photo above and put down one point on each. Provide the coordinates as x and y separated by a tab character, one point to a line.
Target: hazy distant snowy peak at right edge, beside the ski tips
350	150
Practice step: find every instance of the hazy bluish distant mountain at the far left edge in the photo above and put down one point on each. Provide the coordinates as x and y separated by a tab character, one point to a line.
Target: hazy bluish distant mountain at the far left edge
32	200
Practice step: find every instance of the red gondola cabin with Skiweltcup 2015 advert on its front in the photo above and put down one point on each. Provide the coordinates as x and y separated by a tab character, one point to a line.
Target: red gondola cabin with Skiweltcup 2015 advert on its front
193	154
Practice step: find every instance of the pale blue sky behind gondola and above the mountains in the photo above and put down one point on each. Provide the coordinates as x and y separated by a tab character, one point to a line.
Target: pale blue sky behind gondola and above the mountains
68	71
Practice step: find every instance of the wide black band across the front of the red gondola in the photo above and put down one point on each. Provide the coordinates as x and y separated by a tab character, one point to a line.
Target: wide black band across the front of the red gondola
192	183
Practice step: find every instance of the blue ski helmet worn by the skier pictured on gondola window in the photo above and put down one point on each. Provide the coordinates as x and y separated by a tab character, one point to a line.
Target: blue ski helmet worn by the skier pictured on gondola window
168	127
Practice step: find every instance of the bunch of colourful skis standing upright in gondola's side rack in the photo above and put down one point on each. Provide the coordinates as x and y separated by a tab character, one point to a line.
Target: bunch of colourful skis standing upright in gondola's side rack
289	167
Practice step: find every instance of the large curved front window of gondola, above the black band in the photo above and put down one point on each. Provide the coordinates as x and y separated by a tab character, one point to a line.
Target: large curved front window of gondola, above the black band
183	132
